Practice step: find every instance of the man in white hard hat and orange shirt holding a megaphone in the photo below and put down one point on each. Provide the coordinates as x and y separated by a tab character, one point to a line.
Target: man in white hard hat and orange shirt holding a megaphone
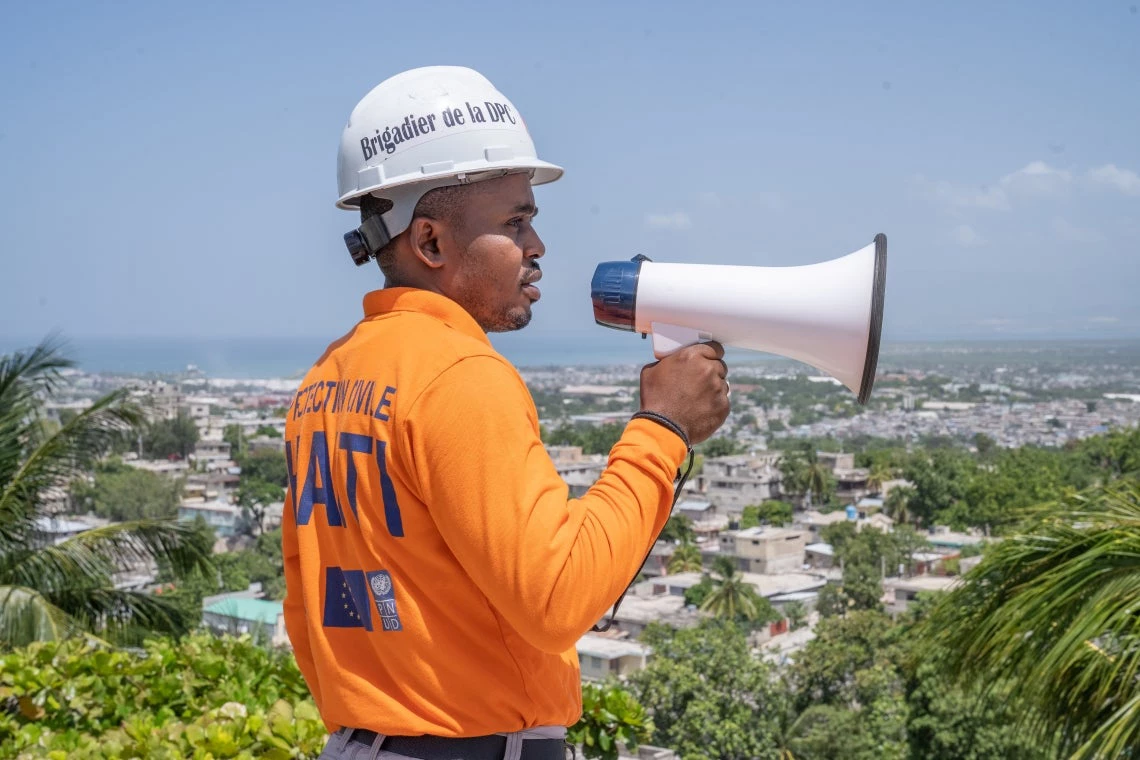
438	577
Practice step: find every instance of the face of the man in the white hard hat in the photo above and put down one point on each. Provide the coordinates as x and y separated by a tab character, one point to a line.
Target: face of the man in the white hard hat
496	266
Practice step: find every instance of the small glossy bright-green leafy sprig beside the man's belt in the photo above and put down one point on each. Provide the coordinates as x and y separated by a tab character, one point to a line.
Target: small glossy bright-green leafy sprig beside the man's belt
612	717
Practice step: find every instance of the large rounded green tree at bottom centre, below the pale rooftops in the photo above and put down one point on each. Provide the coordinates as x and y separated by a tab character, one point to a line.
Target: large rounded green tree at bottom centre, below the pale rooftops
709	696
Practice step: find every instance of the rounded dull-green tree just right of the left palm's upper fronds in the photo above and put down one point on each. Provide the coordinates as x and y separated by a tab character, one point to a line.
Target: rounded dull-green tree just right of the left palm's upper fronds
121	493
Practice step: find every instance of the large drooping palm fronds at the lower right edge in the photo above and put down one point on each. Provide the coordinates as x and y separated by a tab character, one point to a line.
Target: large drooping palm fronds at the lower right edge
1055	610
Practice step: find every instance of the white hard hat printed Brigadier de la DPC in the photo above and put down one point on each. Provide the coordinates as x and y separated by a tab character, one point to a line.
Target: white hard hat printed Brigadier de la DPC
429	128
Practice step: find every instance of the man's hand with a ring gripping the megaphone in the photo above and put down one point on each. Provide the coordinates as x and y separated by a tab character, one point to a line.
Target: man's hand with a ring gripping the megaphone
690	389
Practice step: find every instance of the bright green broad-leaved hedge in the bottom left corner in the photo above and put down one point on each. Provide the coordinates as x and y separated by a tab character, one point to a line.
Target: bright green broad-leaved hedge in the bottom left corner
201	698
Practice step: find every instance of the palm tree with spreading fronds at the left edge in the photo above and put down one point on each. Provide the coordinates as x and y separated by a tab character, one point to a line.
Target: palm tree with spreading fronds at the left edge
51	592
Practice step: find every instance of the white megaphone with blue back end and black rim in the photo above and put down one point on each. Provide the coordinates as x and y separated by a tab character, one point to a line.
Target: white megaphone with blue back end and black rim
827	315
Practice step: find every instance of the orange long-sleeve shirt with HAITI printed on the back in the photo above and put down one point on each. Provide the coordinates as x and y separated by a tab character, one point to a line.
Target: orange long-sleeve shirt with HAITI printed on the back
437	575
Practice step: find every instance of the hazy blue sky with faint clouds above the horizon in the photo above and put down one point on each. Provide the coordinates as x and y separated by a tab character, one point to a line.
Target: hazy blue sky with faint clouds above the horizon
169	169
